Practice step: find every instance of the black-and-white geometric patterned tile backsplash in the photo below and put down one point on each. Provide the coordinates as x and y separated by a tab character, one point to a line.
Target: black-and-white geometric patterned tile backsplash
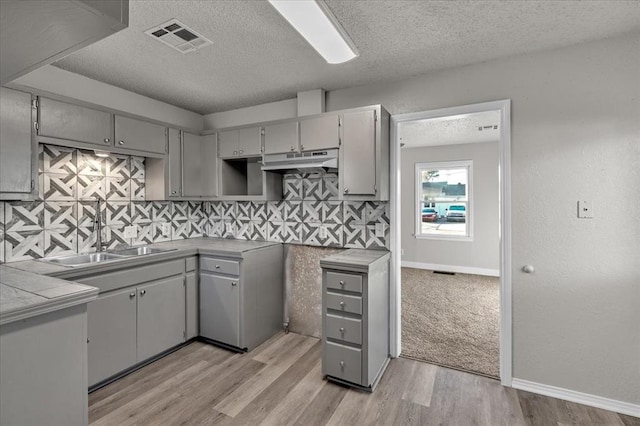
61	221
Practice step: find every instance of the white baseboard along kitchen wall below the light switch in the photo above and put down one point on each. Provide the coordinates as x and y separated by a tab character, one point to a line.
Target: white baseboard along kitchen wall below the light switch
579	397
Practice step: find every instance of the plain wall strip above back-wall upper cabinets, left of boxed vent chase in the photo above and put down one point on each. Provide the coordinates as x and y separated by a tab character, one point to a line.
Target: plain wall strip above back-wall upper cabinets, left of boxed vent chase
254	114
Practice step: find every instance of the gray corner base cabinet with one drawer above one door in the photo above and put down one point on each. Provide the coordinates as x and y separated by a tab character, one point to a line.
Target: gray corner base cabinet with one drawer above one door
241	300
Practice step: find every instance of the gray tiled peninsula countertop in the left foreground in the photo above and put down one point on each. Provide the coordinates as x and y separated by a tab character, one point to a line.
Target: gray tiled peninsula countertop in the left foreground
25	294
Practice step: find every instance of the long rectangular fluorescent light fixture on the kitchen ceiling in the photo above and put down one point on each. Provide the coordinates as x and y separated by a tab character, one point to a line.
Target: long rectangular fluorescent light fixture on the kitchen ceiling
315	22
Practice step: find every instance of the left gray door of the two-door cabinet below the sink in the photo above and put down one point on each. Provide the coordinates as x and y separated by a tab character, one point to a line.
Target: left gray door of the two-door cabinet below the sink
111	332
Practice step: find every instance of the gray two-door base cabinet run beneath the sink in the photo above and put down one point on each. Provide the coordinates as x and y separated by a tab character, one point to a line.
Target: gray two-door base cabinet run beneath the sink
141	312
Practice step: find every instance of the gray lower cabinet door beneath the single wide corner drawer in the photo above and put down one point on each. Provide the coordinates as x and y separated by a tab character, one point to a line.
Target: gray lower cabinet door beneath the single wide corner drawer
220	308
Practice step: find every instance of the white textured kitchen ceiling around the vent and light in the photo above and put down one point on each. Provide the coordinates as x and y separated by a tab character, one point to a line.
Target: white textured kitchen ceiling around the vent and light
257	57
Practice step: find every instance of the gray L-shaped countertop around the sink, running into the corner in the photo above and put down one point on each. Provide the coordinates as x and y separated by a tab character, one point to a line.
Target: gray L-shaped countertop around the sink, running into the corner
179	248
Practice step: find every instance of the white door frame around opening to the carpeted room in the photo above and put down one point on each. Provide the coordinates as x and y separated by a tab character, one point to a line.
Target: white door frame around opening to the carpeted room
504	177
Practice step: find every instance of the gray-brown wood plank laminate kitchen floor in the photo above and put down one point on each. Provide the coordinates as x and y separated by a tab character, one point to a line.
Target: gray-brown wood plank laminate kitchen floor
280	383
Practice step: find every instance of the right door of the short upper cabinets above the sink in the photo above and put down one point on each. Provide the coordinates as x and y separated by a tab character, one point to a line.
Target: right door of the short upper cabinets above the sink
140	135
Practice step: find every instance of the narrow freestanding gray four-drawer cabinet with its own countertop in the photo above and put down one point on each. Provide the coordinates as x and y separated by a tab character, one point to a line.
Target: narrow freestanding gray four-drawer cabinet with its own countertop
355	317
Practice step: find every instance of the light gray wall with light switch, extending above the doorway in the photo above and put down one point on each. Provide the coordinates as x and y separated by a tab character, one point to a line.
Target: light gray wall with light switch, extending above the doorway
575	135
